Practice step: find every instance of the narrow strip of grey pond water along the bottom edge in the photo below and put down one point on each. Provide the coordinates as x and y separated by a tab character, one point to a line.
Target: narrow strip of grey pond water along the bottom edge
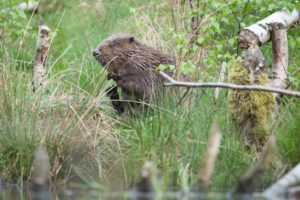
64	193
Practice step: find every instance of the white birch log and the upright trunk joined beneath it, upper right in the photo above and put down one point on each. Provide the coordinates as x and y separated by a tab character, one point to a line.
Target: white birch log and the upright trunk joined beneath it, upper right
273	27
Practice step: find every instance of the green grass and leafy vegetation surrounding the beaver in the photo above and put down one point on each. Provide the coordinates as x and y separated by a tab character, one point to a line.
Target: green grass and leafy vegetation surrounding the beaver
74	120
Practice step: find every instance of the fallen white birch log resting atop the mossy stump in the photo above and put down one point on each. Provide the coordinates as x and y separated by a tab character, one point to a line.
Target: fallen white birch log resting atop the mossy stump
262	29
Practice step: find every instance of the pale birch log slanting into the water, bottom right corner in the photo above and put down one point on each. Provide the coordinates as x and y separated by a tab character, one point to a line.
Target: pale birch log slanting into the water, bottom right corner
278	190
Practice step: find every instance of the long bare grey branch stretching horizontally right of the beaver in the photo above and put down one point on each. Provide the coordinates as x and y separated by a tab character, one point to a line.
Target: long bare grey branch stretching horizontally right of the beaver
175	83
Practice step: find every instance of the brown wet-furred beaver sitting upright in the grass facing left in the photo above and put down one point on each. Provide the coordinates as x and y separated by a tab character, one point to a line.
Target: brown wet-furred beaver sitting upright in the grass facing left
132	65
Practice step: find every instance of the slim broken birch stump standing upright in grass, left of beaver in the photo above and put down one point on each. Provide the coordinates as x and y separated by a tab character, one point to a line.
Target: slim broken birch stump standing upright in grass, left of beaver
41	52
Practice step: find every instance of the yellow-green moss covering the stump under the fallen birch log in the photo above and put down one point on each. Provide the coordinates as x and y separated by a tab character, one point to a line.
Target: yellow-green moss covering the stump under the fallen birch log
250	110
